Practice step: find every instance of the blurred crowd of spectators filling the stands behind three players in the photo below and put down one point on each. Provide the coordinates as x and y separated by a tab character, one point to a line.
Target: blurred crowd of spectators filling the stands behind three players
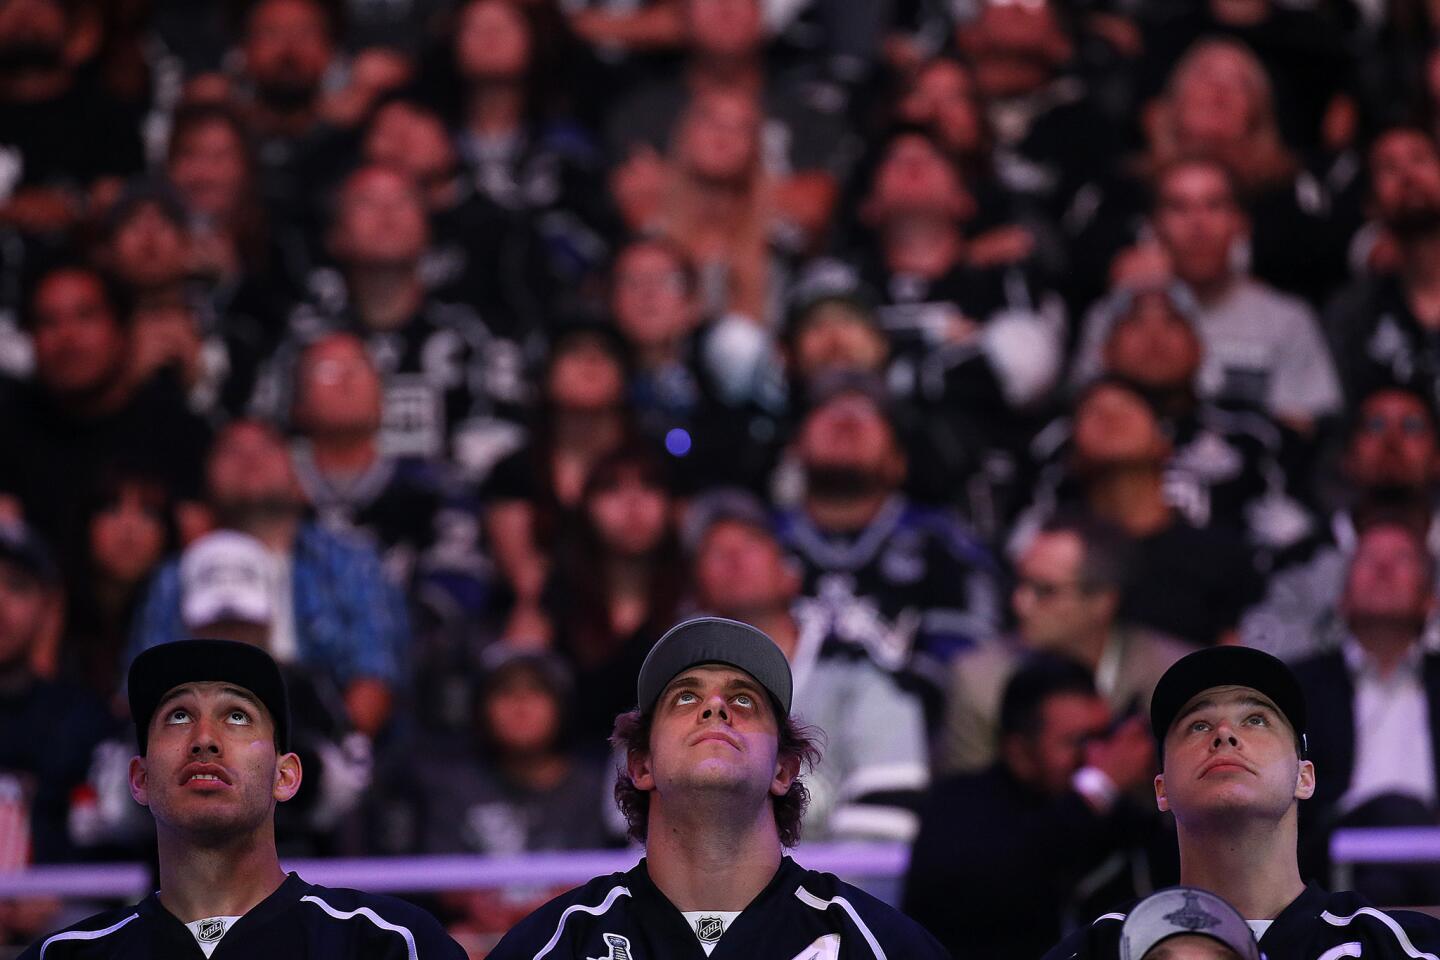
989	355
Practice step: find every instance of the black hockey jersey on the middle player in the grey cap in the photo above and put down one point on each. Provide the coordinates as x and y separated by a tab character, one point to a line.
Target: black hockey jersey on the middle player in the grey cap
800	916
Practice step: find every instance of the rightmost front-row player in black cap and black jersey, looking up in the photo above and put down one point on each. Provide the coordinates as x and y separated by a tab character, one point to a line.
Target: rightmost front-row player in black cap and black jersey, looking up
1230	722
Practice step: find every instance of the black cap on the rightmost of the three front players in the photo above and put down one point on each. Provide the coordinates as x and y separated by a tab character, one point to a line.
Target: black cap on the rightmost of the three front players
1228	667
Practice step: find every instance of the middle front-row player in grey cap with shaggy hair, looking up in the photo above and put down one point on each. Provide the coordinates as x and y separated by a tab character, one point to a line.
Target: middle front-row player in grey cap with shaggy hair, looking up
712	787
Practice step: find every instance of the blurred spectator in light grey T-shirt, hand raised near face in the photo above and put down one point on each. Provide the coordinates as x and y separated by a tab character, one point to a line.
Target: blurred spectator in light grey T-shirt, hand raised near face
1262	349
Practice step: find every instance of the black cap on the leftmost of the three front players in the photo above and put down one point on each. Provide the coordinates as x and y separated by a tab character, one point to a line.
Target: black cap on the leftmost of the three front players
162	669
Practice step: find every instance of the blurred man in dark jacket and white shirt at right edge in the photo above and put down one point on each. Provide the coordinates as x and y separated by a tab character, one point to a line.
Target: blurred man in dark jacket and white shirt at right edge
1379	742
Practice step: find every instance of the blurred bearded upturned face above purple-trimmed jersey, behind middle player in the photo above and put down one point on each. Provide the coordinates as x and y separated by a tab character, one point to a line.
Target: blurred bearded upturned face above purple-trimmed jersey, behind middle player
849	447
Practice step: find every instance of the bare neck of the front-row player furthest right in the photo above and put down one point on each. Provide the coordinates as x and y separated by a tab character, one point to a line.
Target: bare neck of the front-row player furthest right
1255	869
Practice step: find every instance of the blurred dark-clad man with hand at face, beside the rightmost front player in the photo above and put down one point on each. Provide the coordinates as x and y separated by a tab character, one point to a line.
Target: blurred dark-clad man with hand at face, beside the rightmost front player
1055	820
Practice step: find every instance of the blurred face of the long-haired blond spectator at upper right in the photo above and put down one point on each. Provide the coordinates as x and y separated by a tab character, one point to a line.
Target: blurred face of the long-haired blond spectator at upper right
1216	99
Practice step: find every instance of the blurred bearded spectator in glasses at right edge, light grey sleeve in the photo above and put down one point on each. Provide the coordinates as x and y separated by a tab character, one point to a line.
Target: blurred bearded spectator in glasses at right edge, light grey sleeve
1389	473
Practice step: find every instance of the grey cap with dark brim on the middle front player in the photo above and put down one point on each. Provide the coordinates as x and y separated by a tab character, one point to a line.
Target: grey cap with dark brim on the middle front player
714	640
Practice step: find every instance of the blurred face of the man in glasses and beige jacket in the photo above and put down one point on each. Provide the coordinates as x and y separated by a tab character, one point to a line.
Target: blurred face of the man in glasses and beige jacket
1053	605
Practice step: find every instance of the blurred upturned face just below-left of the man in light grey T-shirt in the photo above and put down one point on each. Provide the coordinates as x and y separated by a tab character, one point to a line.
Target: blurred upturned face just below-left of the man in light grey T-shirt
1154	345
